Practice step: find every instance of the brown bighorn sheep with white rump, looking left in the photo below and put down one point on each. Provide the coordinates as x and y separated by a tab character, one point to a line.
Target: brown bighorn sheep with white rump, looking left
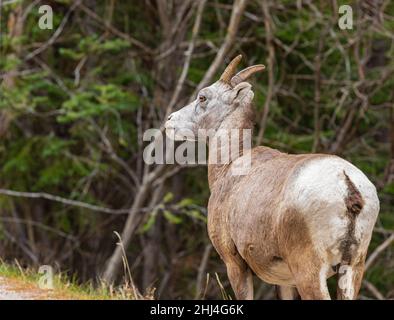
293	220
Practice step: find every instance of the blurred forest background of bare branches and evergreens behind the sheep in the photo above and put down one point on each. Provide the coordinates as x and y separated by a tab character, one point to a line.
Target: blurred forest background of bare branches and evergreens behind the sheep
75	101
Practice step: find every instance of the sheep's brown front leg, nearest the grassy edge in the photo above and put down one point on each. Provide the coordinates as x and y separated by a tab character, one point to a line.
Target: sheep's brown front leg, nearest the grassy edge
241	278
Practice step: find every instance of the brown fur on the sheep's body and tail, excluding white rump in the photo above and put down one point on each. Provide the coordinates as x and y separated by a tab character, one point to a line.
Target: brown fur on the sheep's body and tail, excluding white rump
246	214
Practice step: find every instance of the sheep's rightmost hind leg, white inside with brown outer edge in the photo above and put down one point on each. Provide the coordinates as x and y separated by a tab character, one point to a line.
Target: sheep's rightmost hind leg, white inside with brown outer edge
349	280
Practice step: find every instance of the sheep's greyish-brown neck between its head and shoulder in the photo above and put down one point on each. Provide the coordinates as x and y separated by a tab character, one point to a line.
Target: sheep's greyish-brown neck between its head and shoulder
236	122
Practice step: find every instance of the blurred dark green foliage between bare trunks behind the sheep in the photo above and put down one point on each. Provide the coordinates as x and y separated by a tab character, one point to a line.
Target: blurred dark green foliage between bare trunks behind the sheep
92	83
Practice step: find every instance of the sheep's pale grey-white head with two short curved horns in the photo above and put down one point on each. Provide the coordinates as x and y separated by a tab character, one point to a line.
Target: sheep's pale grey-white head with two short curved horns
214	103
